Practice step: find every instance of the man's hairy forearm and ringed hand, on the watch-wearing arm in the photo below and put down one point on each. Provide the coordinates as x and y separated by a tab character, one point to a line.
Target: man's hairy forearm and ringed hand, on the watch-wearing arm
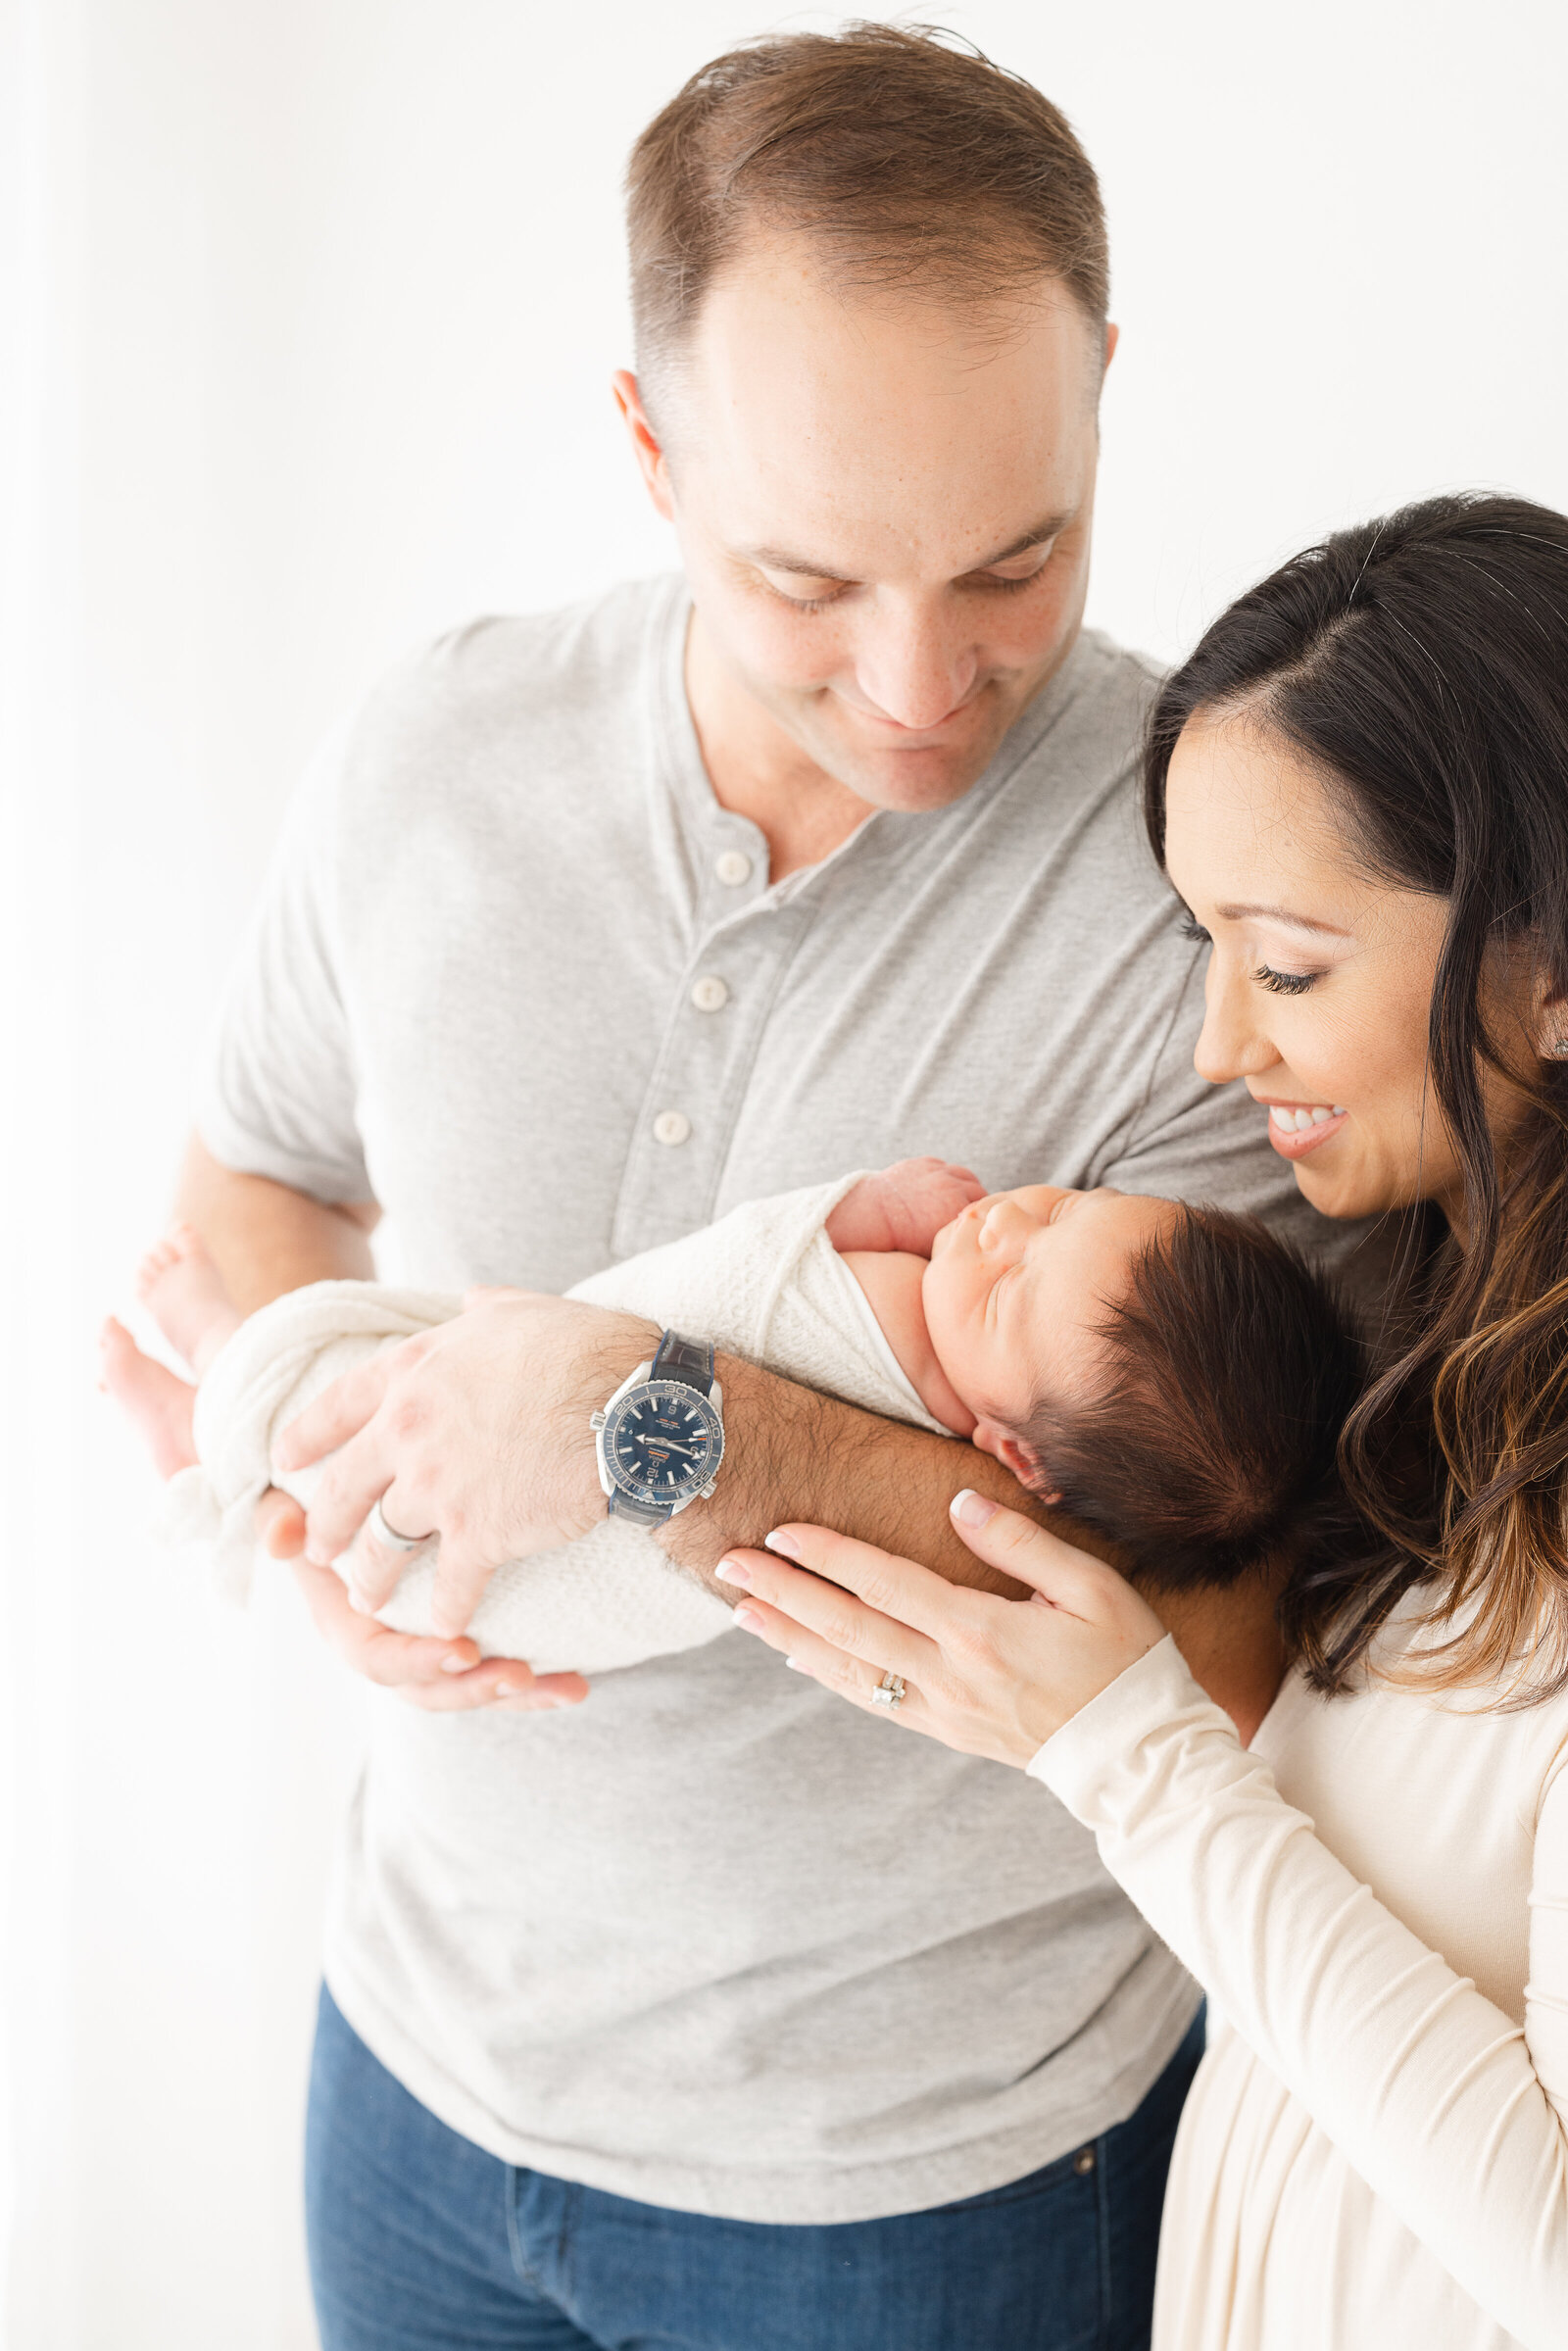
481	1431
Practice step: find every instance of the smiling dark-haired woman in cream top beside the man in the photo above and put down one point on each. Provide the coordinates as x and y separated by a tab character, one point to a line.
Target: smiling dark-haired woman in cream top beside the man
1360	789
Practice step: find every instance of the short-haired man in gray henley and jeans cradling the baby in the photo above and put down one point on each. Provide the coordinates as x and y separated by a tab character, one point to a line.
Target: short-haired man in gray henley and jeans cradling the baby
699	2014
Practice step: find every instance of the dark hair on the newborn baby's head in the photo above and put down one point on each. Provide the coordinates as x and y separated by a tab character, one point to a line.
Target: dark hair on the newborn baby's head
1212	1447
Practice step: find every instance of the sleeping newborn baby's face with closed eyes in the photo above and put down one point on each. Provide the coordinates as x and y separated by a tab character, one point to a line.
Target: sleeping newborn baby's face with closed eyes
1019	1287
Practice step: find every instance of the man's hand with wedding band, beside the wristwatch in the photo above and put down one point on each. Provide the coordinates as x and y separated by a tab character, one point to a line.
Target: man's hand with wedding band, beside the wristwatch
476	1433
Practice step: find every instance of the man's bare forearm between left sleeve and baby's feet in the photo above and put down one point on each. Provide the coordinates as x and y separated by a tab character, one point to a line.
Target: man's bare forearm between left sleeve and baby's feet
267	1238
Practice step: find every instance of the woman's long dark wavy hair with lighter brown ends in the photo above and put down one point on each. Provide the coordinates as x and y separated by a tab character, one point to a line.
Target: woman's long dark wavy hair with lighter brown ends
1423	667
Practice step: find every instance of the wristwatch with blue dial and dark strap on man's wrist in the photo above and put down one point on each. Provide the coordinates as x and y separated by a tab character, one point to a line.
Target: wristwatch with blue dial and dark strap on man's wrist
662	1435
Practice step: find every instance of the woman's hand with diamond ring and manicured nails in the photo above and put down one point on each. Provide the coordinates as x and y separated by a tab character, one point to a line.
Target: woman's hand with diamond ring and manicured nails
984	1675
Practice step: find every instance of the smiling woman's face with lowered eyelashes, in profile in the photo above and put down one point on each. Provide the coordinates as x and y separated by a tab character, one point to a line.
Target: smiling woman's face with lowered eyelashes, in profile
1320	979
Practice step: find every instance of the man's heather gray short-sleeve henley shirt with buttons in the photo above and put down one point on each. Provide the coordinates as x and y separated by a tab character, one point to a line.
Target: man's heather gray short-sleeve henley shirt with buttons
713	1938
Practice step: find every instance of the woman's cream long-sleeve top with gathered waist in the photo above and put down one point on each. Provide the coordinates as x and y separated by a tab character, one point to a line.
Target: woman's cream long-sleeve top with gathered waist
1376	1898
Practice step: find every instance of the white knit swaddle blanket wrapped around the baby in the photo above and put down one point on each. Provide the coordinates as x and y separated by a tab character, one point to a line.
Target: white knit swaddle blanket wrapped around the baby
765	1282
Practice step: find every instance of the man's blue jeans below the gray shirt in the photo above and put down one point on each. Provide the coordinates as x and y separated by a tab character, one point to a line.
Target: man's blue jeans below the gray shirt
420	2242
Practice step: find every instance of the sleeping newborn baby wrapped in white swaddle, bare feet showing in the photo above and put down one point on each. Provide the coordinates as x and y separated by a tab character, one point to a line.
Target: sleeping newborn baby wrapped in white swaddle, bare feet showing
1172	1377
